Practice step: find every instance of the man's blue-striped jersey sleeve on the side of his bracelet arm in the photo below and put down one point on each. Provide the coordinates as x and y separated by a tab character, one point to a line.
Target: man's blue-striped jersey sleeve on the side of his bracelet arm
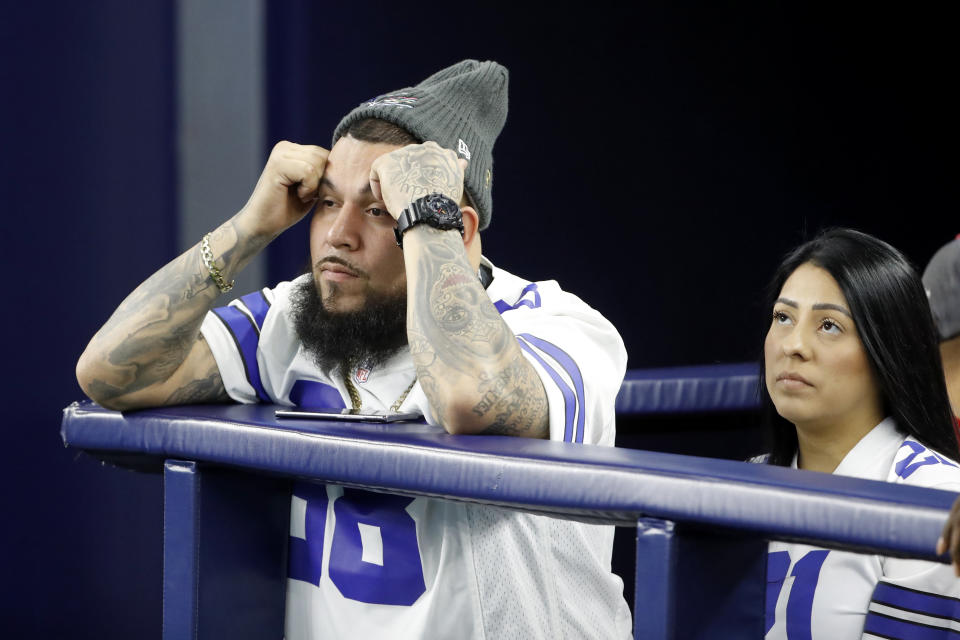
233	333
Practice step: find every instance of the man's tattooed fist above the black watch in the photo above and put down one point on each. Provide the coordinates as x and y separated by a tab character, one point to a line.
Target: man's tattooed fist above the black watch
401	176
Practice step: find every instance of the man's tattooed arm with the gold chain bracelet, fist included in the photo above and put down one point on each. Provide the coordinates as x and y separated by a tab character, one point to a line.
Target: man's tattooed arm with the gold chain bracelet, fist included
150	352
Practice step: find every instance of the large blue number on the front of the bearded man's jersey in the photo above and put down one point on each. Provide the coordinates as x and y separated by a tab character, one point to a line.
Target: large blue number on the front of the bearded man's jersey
374	556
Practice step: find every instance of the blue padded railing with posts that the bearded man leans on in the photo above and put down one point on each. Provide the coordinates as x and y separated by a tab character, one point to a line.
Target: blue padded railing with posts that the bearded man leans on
702	523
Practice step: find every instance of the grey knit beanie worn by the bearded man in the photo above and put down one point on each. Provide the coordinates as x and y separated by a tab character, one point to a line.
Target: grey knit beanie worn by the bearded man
462	107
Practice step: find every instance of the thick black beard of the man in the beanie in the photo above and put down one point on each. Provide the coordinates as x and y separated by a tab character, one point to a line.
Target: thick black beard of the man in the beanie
368	336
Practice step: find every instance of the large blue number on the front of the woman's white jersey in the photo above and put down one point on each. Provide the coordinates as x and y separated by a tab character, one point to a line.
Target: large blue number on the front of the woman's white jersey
806	573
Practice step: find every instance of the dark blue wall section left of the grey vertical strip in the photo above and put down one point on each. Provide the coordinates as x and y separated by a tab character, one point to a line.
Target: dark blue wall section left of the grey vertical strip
88	211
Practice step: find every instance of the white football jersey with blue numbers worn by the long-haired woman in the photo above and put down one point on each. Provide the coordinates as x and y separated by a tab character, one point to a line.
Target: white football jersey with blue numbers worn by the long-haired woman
821	594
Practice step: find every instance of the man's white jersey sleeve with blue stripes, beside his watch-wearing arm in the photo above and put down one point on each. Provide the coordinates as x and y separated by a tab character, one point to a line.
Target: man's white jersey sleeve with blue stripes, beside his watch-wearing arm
578	355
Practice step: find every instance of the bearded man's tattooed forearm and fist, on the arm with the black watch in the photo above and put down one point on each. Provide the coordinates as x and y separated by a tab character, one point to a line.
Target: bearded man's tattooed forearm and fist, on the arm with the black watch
467	359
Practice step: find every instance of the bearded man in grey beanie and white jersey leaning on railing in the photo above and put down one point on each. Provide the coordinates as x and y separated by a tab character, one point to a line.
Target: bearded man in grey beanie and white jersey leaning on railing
428	326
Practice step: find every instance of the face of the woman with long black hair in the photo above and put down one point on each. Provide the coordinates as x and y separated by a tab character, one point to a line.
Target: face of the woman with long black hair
817	372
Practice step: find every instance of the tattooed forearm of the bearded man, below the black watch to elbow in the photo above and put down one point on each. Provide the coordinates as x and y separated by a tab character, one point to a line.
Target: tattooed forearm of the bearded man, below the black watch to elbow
463	351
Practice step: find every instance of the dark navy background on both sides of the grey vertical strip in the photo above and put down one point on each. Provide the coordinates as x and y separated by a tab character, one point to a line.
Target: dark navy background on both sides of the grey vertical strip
656	161
